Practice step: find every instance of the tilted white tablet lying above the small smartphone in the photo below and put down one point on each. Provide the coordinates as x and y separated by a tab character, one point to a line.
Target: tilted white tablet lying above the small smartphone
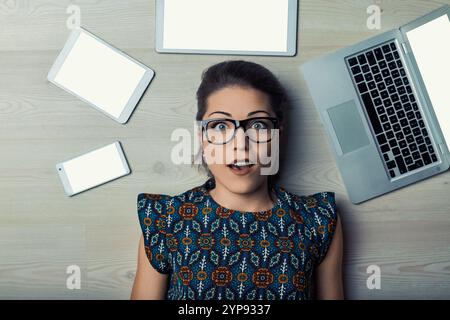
100	75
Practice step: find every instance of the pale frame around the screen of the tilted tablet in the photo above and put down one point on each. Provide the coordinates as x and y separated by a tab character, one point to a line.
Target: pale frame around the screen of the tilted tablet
134	98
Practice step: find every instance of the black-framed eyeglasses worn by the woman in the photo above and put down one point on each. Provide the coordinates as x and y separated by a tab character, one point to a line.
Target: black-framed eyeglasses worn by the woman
222	131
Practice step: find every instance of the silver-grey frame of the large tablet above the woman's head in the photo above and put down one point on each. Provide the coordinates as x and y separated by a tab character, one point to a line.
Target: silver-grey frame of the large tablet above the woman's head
291	36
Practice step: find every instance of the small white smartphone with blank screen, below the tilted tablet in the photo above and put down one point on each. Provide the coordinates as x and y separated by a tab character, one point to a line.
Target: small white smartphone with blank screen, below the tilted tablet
93	169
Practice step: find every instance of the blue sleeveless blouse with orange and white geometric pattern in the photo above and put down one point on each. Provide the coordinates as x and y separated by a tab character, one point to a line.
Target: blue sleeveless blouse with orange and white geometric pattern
211	252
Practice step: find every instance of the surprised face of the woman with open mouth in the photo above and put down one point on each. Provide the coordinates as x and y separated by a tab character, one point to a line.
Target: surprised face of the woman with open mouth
237	164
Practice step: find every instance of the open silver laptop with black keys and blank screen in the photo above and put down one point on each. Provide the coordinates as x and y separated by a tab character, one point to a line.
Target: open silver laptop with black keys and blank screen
385	106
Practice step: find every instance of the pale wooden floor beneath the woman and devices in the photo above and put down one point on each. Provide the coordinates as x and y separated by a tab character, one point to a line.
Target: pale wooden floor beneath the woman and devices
406	233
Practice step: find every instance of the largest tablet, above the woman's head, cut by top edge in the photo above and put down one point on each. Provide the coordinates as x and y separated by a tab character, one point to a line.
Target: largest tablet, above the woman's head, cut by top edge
246	27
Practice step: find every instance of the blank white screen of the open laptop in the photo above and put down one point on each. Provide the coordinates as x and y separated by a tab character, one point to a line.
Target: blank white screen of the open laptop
430	44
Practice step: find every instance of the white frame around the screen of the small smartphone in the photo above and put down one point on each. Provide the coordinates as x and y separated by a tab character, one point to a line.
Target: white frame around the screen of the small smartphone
65	181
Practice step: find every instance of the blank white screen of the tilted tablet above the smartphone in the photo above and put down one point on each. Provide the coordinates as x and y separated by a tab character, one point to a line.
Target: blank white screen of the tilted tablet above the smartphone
99	75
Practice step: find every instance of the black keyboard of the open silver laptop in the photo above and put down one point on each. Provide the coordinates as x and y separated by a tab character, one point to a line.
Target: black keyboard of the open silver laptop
392	109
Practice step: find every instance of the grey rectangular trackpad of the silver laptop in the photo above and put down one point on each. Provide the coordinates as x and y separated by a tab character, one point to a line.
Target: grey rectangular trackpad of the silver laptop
348	126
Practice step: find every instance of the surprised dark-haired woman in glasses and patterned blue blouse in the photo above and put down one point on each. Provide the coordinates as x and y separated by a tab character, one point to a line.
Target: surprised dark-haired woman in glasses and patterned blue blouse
239	235
